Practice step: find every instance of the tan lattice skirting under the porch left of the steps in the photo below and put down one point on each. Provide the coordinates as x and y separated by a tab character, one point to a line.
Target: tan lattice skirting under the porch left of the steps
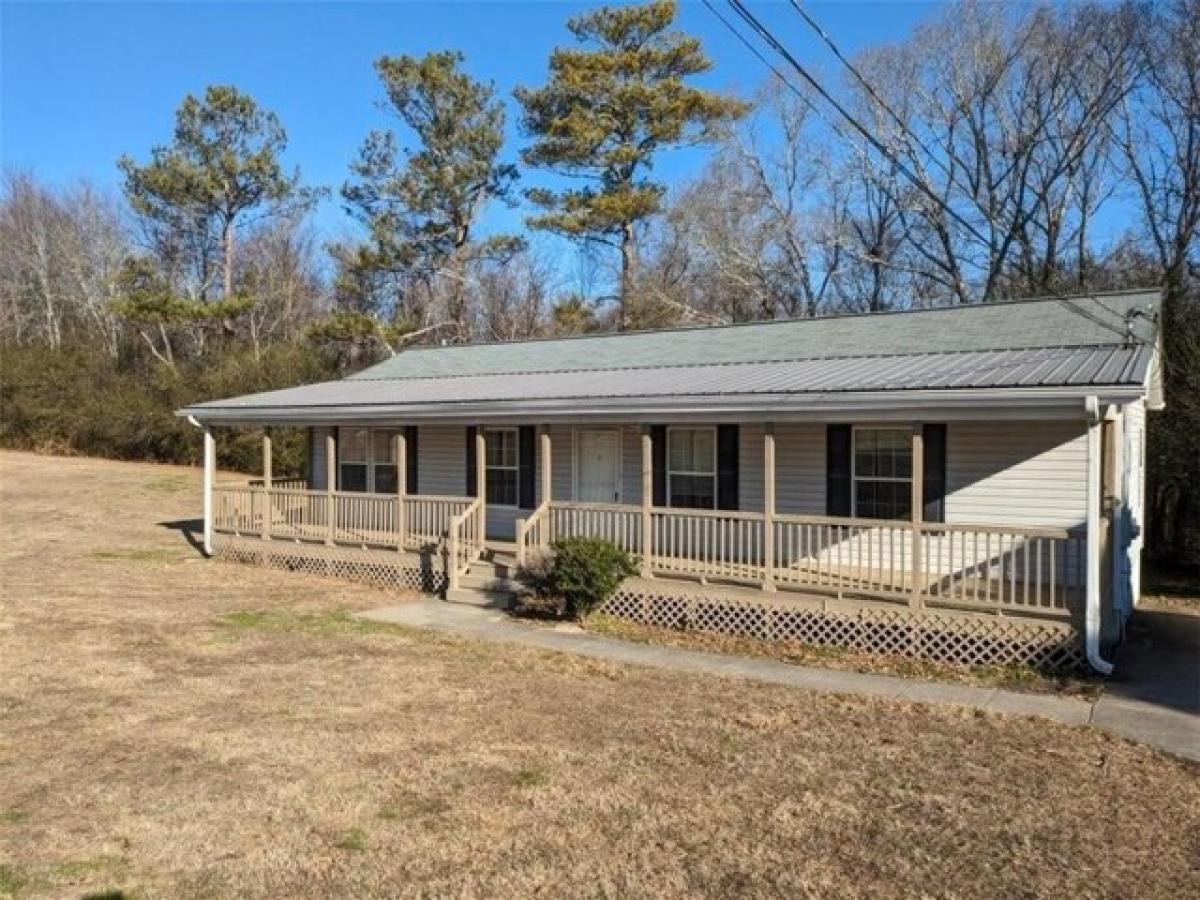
405	572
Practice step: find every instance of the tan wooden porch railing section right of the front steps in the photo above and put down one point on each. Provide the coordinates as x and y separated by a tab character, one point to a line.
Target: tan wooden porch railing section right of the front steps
962	566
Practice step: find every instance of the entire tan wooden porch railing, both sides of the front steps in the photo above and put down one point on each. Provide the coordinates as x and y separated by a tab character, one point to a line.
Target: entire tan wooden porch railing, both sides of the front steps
1023	571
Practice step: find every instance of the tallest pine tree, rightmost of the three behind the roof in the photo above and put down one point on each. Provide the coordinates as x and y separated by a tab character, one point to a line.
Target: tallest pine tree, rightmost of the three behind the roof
603	116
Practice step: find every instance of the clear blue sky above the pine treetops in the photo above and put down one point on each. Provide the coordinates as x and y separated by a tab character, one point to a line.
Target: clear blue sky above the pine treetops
82	83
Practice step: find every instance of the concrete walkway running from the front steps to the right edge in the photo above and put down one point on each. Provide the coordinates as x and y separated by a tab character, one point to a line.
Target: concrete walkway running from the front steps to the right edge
1175	731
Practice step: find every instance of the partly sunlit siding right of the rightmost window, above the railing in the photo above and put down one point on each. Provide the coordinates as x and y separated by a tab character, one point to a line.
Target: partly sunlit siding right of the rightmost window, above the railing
1017	473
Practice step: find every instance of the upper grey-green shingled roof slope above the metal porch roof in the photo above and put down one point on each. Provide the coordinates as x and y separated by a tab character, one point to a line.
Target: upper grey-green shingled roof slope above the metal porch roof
1057	322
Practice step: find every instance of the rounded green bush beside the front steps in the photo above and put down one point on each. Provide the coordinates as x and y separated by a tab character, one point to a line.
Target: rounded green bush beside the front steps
580	574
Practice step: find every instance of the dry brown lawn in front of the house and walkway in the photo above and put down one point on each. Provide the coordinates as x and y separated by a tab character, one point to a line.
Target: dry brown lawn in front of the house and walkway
175	728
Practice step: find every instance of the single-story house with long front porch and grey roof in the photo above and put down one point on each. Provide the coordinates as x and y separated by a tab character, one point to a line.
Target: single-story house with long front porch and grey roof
961	483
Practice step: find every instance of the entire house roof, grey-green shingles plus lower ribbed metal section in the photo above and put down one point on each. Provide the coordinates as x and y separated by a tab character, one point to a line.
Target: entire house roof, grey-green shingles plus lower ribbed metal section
1022	350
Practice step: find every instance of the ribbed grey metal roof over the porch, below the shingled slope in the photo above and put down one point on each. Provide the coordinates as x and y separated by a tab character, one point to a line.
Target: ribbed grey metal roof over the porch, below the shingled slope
1013	379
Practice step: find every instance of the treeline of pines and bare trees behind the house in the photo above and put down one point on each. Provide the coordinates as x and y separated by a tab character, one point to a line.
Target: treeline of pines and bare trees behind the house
985	157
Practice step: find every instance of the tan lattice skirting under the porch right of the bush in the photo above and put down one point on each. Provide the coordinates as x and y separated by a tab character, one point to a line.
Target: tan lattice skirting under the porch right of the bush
943	638
